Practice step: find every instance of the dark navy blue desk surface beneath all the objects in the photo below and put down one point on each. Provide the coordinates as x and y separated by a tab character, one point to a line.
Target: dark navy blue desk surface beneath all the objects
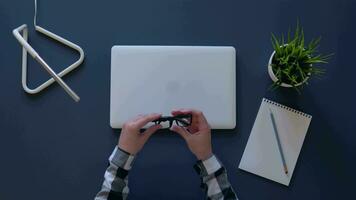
53	148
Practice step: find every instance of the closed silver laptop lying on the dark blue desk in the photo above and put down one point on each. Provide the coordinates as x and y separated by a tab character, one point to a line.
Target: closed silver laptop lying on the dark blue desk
147	79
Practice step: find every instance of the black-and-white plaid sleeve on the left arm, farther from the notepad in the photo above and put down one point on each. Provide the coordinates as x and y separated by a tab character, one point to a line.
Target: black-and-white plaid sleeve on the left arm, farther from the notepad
115	185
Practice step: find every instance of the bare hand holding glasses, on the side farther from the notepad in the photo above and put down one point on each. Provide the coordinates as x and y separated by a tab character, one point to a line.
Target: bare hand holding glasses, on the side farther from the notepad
131	139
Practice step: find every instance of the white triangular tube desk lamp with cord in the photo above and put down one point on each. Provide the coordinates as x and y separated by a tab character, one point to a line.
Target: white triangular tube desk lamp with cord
27	48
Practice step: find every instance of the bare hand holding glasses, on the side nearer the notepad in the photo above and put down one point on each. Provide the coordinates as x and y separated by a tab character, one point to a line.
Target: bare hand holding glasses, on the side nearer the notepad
197	135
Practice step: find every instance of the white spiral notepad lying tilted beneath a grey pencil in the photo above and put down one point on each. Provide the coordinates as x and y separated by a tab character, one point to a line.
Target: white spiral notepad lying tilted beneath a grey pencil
262	156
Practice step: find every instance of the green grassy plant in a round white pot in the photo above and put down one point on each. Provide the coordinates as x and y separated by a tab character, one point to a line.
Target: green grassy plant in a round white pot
293	62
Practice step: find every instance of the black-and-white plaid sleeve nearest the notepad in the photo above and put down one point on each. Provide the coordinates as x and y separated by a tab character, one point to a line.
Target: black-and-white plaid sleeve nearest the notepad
214	179
